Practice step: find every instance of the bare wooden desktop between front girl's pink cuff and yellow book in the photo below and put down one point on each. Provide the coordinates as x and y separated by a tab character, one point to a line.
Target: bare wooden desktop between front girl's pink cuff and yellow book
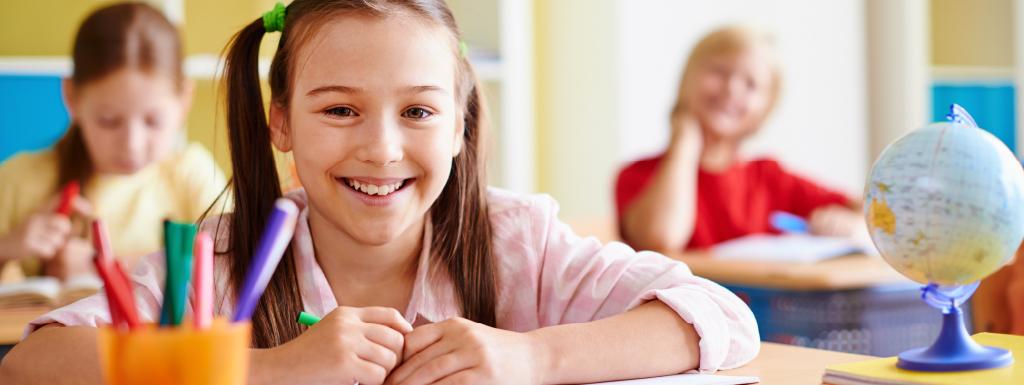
786	365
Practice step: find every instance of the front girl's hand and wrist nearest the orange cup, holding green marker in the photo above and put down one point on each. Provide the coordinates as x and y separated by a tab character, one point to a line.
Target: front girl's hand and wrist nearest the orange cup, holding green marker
349	346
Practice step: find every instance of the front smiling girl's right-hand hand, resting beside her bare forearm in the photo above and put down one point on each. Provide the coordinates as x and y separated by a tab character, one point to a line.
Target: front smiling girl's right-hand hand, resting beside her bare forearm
460	352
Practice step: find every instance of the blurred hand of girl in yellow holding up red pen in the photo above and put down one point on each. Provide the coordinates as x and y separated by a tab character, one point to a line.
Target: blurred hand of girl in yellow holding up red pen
46	233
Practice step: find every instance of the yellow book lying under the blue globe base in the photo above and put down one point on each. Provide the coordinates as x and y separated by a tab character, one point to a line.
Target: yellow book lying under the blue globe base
884	371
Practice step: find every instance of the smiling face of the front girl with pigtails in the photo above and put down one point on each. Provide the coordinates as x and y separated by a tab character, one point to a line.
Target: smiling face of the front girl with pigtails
373	123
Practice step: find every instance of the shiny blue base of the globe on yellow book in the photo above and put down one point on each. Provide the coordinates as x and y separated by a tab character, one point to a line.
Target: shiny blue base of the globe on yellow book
954	351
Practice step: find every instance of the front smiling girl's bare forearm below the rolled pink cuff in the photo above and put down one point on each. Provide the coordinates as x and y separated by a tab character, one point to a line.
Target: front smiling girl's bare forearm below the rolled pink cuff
651	340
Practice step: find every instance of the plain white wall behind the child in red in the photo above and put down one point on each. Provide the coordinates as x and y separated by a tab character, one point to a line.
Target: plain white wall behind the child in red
820	126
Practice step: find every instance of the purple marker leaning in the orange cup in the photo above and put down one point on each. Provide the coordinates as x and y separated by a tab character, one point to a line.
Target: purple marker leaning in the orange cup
277	237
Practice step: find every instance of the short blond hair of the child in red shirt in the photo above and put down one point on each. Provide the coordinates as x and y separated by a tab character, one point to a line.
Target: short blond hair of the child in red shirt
729	40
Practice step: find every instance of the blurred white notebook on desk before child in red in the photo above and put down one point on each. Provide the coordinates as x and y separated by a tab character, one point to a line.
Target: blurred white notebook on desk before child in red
800	248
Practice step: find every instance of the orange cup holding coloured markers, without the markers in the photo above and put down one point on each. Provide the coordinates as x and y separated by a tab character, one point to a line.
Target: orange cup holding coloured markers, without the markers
153	356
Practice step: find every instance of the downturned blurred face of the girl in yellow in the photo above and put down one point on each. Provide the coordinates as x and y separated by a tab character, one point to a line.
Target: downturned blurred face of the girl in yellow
129	119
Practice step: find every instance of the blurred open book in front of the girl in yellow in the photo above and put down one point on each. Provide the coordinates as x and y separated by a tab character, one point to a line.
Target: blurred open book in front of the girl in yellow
48	291
